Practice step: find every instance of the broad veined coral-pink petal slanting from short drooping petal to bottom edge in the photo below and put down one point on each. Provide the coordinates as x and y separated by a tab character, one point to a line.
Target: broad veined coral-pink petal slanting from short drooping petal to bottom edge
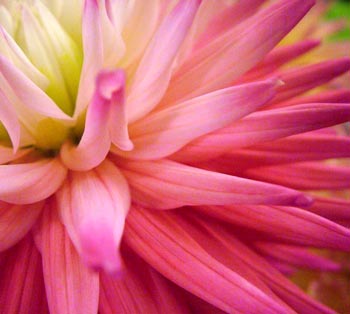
168	248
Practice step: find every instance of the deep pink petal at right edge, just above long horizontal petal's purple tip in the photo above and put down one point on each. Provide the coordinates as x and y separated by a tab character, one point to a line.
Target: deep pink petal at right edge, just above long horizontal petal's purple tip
304	176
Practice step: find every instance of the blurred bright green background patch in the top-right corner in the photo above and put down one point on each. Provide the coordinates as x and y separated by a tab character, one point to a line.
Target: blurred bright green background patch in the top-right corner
340	10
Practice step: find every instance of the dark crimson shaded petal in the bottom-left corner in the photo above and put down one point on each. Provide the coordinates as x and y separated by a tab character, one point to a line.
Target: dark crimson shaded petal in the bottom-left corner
21	281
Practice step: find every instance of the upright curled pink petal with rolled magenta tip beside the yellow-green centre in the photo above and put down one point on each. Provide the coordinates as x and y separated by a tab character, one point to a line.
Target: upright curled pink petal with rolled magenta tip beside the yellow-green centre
105	121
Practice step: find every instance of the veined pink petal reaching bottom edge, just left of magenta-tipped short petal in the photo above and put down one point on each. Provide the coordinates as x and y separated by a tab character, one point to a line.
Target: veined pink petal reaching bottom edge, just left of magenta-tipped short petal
70	286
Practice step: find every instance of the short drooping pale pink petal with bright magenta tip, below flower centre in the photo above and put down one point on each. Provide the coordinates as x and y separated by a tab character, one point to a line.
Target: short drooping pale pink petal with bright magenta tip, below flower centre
93	206
